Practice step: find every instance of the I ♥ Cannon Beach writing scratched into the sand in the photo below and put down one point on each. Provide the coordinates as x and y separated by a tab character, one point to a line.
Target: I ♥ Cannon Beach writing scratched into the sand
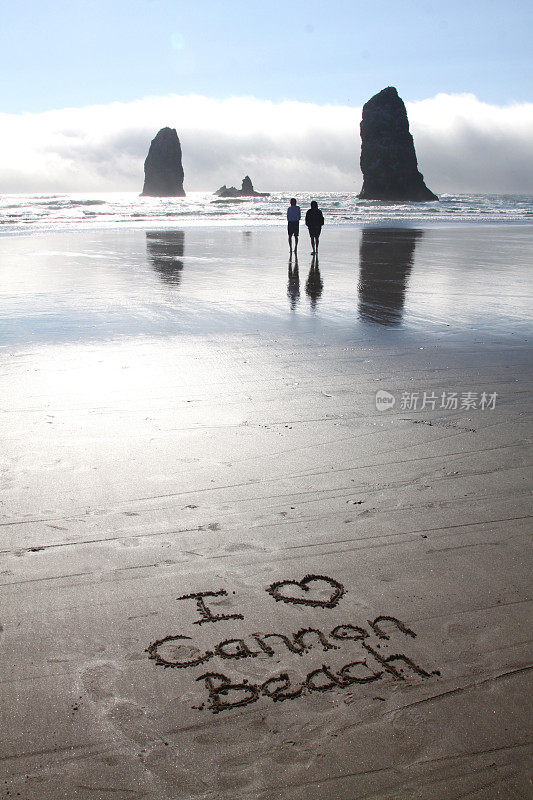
179	651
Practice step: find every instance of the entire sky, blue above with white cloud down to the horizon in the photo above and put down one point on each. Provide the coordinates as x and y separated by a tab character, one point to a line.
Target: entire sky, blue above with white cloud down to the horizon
275	88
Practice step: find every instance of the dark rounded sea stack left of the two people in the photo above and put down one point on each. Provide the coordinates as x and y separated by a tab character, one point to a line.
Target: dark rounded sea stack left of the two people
163	171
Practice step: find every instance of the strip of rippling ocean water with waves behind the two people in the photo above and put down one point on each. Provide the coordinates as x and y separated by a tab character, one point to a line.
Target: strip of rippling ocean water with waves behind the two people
23	213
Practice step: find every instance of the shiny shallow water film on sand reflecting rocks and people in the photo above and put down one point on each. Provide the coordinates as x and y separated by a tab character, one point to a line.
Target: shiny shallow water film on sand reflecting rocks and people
83	286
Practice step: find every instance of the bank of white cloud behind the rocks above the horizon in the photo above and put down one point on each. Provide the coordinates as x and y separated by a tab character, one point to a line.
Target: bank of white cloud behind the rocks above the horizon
463	145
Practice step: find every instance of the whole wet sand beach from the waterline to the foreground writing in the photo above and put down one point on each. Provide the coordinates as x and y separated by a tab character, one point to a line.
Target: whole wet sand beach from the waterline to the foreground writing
226	571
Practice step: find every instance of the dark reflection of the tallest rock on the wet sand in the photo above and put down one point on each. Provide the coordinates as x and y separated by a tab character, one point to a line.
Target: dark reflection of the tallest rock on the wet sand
385	263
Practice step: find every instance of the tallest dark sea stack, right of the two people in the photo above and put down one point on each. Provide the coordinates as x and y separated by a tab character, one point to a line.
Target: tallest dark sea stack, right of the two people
388	158
